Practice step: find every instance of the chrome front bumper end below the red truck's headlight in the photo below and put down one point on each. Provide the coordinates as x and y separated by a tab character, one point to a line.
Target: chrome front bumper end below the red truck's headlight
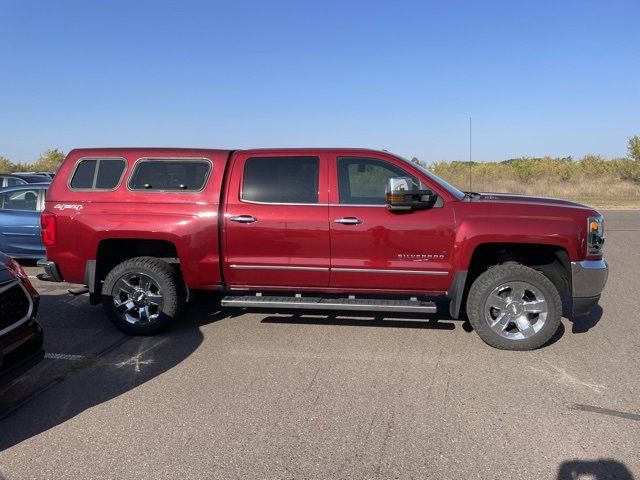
588	278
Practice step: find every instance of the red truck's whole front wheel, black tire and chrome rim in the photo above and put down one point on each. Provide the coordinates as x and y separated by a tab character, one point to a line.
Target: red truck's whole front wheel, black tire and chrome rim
514	307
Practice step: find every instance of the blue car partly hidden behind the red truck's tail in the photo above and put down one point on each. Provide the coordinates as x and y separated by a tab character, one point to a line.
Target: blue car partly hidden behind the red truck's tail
20	222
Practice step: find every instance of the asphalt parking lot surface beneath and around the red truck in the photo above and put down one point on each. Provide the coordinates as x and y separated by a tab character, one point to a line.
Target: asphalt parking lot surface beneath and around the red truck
234	394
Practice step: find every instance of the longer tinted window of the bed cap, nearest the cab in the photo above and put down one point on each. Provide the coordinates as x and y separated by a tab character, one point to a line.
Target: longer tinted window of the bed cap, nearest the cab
170	175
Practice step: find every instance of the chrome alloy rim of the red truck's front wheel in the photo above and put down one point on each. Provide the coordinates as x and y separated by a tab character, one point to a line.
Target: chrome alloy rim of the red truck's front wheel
516	310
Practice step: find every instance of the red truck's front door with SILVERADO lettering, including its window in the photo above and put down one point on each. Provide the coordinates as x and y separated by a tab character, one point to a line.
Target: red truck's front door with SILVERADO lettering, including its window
374	248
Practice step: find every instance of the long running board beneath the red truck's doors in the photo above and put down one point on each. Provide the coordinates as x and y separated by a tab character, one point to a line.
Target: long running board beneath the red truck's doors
320	303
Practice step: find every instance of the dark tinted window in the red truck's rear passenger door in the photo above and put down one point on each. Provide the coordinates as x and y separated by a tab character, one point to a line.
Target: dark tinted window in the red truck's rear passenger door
281	180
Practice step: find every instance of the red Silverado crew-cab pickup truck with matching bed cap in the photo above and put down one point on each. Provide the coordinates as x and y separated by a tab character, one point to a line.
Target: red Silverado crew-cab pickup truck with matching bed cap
320	229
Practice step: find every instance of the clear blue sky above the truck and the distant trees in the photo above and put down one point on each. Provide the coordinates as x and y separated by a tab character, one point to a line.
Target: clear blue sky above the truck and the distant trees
540	77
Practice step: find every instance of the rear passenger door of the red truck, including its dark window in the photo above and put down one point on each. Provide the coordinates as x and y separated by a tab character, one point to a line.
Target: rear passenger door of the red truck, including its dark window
276	231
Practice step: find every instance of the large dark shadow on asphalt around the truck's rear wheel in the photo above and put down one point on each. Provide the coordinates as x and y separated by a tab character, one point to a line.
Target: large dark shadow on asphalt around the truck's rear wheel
57	390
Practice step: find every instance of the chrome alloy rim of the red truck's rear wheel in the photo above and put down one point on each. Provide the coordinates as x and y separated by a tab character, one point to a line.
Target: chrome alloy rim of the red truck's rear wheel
138	298
